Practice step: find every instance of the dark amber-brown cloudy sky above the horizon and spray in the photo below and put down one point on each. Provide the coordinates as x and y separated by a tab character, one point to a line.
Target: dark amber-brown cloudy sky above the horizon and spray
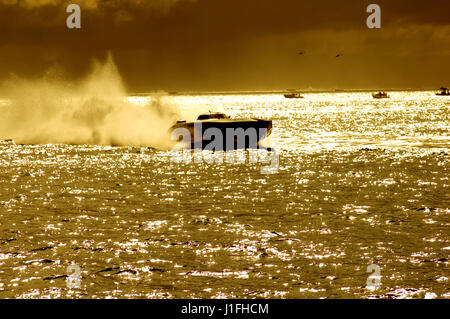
232	45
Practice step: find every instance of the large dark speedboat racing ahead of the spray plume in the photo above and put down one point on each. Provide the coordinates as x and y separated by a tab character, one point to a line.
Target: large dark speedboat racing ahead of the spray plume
217	131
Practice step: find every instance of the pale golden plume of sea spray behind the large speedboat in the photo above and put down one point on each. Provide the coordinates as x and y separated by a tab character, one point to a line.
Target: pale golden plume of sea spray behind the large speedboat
92	111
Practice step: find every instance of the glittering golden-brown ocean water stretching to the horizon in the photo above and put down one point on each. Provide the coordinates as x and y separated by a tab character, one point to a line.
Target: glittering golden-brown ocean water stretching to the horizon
359	182
